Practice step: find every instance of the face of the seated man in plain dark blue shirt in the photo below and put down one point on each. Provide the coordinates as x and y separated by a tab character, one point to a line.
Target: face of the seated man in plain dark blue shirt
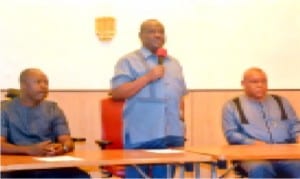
35	86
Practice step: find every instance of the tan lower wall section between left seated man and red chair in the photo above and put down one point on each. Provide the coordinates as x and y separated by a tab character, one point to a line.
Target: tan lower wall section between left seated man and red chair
82	111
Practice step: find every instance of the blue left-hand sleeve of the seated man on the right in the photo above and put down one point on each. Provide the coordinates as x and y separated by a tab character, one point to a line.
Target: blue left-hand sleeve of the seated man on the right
232	127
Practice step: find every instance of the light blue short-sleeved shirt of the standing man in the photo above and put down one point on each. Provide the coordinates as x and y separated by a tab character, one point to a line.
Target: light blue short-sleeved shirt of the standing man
153	112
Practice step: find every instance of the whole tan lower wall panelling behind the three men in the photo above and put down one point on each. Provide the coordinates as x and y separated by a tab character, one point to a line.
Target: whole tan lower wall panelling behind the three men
202	112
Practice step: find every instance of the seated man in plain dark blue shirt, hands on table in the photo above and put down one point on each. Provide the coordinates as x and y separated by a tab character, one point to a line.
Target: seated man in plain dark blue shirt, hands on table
31	125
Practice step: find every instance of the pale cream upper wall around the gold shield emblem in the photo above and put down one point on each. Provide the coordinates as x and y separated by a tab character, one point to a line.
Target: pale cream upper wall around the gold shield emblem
204	35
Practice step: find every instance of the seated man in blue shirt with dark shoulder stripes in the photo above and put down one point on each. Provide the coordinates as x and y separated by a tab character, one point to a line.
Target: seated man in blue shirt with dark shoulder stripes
258	118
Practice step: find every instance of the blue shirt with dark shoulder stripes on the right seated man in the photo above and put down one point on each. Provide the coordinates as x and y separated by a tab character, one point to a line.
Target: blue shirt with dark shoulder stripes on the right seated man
264	121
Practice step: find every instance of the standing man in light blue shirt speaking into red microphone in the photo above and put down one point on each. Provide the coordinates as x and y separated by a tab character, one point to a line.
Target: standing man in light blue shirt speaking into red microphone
153	86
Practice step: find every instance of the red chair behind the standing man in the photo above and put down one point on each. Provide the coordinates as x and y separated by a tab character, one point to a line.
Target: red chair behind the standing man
112	132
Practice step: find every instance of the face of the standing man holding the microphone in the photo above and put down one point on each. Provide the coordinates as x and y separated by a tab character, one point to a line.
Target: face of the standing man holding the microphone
152	35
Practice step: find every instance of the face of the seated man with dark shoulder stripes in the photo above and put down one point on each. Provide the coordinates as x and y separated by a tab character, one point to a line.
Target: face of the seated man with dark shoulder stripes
255	84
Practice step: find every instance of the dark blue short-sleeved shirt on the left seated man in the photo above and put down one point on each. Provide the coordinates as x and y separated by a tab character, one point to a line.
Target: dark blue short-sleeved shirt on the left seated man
23	125
